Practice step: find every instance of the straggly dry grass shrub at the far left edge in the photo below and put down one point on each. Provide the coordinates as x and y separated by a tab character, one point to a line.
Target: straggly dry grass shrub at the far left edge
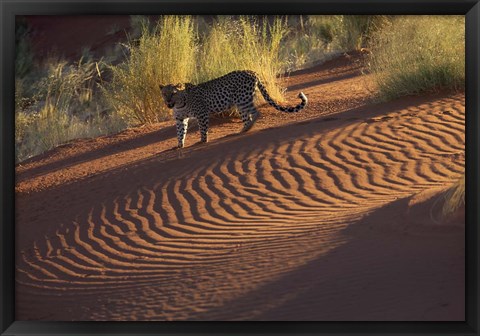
64	107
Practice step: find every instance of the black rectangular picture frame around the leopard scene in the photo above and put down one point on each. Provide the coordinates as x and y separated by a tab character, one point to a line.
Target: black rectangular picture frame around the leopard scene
10	8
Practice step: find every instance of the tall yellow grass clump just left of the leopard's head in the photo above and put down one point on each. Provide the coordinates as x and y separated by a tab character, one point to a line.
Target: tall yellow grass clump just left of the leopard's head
163	55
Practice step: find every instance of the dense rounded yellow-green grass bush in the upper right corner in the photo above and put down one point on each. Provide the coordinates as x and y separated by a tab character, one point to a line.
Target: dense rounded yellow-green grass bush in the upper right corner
414	54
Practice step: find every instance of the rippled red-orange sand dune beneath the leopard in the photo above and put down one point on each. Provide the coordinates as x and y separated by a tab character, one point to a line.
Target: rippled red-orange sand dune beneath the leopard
308	221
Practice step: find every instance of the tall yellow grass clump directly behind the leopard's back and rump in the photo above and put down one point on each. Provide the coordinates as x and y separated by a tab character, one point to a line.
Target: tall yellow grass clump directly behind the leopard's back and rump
244	44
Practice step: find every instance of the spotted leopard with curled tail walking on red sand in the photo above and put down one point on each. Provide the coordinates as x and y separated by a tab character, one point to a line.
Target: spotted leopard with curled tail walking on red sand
237	88
